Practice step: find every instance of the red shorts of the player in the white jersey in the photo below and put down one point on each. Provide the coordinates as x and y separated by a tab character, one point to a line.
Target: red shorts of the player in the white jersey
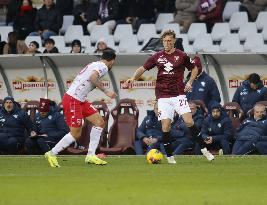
75	111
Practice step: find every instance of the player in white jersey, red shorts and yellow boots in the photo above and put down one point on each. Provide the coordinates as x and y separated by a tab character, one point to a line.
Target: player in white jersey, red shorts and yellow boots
76	108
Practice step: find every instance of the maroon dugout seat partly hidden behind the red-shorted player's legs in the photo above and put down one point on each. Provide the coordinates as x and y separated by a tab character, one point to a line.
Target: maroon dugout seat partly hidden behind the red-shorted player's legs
84	140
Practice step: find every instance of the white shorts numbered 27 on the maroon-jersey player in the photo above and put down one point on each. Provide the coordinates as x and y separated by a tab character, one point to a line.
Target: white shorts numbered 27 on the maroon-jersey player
167	107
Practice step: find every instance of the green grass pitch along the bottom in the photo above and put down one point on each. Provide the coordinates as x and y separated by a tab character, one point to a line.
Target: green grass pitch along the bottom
26	180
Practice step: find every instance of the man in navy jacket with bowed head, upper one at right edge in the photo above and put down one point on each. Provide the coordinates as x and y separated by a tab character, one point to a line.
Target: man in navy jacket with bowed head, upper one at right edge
250	92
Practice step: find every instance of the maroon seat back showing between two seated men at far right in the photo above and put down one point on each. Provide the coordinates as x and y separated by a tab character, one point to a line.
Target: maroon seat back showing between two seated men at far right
234	112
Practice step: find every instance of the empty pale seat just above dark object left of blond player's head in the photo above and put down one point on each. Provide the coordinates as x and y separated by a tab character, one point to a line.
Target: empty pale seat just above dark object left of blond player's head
145	32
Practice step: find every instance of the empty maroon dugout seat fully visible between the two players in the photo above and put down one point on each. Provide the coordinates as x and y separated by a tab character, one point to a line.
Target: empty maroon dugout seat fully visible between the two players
122	132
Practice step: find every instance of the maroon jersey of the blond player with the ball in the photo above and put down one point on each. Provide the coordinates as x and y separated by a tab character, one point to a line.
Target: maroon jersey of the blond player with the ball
170	75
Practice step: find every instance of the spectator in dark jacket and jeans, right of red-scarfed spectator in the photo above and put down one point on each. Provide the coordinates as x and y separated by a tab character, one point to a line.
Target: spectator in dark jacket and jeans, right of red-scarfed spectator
48	20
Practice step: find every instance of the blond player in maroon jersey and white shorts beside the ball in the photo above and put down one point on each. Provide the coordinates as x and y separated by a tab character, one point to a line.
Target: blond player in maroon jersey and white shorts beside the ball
170	90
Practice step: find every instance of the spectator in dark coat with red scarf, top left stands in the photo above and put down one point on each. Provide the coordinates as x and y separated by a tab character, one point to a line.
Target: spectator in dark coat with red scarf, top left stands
24	21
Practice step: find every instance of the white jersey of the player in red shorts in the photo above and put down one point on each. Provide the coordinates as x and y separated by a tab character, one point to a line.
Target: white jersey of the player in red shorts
82	85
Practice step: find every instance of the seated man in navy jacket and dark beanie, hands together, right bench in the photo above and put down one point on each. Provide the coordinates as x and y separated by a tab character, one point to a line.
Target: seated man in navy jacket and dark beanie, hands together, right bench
217	129
